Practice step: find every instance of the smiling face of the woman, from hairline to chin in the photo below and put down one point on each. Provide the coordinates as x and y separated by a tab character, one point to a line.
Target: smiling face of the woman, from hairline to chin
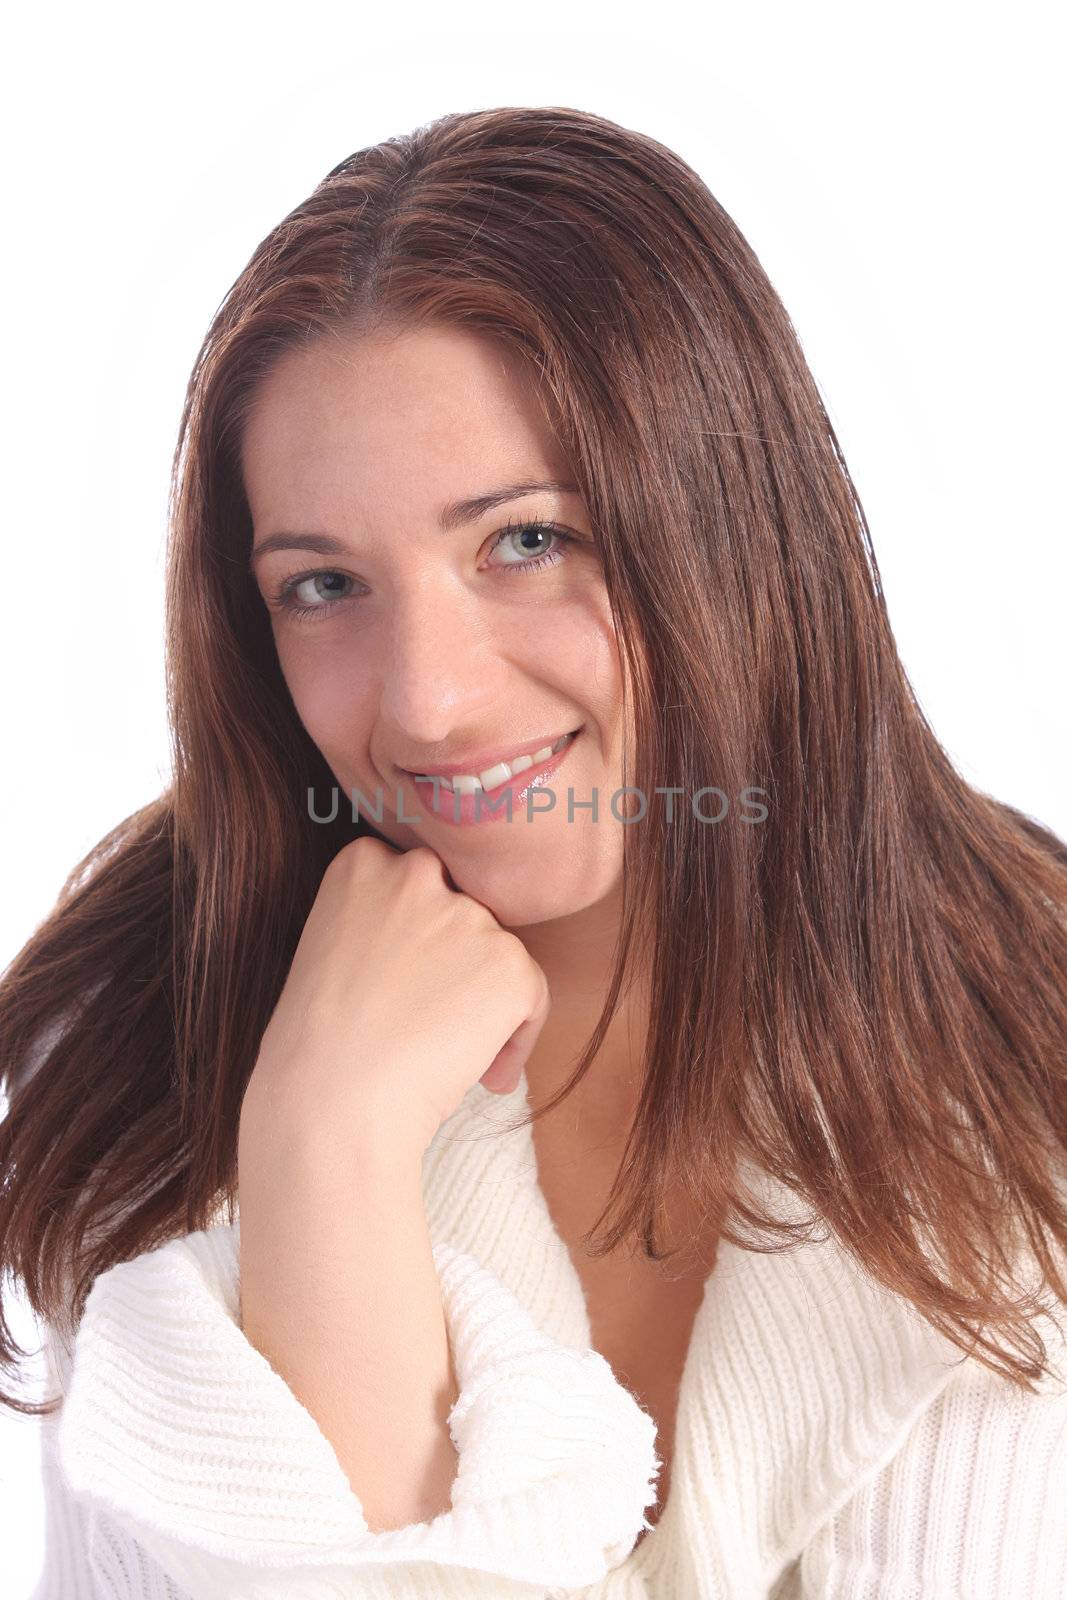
414	639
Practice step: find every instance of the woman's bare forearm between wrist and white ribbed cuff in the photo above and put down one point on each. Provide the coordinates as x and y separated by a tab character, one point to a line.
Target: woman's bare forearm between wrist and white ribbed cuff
342	1295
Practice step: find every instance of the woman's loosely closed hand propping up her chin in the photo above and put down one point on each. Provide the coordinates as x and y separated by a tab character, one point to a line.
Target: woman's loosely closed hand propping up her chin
404	993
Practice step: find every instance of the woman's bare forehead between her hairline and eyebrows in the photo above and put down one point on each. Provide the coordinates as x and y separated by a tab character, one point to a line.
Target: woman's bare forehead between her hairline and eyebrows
433	412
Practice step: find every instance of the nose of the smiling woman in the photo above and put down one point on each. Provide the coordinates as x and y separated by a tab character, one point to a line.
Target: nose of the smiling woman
441	665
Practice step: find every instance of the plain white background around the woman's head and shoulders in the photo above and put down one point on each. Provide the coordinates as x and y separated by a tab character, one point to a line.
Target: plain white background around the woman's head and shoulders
898	170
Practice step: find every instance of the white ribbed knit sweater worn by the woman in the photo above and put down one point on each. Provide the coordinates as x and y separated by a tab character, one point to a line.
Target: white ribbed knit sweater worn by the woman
829	1444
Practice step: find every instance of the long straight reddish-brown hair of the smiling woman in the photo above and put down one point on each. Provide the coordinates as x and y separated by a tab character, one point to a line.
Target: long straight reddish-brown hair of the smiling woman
865	996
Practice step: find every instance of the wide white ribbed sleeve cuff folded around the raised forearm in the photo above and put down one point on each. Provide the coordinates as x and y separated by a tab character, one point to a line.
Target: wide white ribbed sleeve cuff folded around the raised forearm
177	1431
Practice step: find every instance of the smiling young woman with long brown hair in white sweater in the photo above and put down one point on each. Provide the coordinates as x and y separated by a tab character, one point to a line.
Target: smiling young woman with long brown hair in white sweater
554	846
